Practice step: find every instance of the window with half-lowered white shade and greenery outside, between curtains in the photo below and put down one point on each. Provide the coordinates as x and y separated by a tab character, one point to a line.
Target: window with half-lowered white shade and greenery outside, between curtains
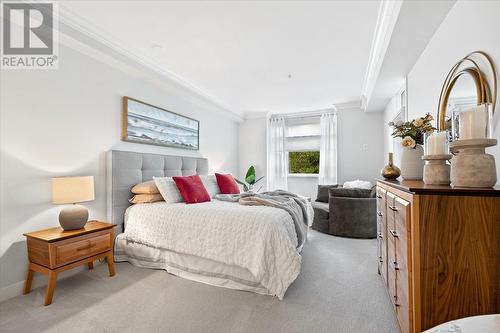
302	145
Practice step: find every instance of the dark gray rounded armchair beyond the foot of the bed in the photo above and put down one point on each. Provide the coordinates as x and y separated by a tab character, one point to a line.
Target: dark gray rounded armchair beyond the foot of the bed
348	212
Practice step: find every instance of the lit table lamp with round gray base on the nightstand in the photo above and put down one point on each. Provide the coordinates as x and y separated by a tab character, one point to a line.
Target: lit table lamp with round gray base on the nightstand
71	190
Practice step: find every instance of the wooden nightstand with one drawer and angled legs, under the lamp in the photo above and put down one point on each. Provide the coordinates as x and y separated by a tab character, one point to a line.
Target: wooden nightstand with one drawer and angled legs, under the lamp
54	250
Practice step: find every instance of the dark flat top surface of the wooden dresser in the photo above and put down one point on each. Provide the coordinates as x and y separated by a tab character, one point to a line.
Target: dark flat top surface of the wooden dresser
418	187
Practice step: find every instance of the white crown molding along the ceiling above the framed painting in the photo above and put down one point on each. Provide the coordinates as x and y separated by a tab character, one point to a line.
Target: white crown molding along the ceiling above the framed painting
107	42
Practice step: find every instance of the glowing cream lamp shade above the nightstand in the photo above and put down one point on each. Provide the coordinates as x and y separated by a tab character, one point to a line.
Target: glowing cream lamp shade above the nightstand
72	189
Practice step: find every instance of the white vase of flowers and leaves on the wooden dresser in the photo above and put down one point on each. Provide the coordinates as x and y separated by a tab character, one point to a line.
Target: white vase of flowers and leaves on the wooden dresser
412	135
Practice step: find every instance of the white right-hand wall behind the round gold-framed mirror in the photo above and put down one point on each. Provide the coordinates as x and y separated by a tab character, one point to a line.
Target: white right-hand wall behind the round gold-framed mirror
469	26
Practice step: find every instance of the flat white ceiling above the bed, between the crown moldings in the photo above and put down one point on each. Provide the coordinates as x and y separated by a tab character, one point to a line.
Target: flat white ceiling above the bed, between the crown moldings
242	52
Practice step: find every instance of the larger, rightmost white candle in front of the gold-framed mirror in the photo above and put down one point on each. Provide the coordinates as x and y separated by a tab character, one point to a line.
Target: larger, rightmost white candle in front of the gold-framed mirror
472	123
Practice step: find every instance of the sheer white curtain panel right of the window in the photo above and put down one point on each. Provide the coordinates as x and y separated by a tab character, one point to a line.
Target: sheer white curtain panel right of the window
328	150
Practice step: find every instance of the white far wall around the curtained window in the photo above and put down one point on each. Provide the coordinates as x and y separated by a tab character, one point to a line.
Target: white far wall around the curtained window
360	149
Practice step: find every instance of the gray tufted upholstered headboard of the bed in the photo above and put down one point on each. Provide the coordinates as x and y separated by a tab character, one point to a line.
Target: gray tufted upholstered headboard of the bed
125	169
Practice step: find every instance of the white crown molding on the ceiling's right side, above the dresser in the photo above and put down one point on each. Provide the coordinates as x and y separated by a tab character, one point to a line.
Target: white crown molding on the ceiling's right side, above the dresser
386	21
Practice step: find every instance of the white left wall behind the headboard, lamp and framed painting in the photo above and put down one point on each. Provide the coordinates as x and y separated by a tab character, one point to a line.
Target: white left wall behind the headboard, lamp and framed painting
61	122
